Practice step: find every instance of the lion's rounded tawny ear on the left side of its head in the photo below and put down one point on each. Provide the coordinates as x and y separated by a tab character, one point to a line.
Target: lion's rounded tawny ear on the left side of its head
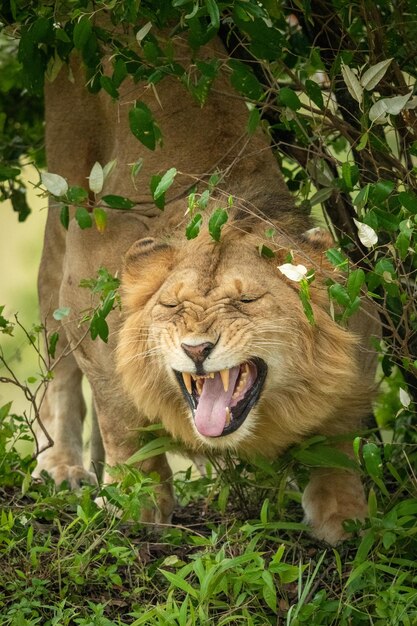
146	266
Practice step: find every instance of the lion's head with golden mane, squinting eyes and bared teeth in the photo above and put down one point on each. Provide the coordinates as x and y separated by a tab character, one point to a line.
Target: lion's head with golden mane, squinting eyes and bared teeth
217	346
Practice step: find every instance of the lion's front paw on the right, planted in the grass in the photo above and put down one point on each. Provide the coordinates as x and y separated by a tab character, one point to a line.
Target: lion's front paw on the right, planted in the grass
331	497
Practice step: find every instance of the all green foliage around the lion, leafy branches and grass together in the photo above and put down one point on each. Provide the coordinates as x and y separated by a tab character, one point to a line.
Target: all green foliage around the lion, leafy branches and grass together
332	84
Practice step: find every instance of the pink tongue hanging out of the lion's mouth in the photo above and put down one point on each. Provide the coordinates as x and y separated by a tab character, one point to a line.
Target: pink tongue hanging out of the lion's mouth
210	415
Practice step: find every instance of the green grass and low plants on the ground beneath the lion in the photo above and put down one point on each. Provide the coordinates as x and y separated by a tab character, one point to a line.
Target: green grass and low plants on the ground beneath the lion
236	553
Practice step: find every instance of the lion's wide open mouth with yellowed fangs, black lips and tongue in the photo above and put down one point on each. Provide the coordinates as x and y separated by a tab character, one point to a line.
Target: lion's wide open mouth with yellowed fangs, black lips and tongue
221	401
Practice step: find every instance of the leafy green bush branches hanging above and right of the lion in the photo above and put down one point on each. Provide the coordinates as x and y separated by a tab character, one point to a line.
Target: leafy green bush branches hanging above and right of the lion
336	100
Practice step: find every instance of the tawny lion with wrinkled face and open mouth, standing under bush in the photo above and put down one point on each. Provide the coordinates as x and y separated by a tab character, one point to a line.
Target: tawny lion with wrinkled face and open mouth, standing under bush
212	340
